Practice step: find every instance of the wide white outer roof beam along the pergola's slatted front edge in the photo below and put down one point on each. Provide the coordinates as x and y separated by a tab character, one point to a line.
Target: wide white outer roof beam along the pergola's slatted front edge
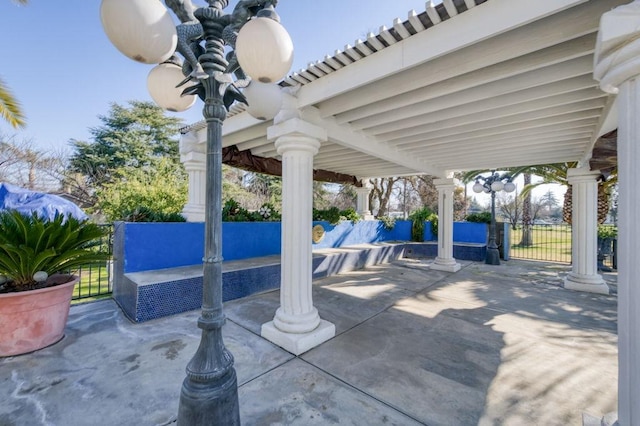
421	48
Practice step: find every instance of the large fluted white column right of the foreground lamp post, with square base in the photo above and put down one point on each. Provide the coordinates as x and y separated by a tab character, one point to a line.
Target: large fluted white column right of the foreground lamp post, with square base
297	327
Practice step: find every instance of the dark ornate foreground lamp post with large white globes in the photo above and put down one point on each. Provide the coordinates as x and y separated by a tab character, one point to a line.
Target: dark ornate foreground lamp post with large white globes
261	50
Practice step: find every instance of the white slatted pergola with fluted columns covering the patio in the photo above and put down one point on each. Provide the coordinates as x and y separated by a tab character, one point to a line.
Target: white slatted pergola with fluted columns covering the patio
464	85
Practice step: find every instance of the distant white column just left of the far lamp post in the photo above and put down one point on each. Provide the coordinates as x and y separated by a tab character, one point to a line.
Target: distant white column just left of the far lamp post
445	261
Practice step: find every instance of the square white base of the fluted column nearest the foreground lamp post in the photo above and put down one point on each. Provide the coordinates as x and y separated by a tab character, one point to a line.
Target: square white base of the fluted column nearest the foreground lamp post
299	343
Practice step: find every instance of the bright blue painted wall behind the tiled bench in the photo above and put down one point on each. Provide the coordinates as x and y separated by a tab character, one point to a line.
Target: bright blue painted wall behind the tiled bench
149	246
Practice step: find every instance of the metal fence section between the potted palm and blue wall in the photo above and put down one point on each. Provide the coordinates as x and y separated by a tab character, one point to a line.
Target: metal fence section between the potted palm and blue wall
96	278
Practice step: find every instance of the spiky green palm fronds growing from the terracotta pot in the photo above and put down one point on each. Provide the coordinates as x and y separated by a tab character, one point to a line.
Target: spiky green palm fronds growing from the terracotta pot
29	244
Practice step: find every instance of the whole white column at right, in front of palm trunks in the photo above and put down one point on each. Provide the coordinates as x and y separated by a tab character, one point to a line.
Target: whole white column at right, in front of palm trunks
584	231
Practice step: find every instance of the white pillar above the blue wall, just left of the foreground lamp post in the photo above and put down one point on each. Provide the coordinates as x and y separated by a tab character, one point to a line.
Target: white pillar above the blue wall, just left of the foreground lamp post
193	158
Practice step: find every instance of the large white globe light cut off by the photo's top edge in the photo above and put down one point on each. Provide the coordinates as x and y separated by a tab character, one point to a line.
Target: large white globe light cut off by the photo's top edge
142	30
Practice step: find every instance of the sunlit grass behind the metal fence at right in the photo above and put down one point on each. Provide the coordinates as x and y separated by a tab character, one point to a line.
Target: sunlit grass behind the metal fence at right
551	243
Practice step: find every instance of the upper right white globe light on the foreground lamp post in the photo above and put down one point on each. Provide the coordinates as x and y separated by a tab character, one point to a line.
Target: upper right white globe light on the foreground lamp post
264	50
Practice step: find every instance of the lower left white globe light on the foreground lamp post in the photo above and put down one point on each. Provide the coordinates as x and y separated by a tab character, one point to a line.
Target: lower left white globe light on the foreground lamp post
161	84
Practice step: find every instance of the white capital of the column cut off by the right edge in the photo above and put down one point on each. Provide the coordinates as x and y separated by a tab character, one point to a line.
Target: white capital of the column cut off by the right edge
617	56
